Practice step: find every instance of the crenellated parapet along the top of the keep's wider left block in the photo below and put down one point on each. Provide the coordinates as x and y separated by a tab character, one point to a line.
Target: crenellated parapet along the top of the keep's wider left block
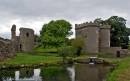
86	24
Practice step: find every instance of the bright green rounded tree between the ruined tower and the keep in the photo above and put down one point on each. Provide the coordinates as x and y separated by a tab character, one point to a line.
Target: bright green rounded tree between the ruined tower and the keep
55	32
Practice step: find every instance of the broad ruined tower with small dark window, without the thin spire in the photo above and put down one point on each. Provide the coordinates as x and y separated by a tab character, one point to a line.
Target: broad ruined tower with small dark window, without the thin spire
26	39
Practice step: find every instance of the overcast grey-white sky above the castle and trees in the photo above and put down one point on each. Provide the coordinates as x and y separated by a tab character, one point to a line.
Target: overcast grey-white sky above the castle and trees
34	13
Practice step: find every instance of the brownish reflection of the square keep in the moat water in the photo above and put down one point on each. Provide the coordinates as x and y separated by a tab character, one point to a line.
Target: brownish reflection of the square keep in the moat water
86	72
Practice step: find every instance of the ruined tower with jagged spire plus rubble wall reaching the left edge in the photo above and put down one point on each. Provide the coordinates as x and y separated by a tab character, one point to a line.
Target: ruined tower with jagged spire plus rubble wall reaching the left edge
22	43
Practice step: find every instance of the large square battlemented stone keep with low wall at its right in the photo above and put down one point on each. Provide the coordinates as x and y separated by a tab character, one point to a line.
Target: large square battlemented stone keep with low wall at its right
96	37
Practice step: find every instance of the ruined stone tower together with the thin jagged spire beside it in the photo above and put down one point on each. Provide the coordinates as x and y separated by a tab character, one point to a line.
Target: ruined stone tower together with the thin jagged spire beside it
25	41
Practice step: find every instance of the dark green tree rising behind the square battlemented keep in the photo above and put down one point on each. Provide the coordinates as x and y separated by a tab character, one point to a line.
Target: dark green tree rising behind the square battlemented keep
119	31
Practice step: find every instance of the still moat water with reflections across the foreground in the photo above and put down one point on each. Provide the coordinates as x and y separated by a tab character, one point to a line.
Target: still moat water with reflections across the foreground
77	72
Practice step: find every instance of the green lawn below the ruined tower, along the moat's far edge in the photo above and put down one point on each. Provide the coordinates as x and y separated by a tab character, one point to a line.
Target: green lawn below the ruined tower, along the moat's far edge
24	58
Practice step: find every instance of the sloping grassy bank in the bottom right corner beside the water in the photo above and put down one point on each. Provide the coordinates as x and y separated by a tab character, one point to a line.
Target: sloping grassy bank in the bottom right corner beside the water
122	72
